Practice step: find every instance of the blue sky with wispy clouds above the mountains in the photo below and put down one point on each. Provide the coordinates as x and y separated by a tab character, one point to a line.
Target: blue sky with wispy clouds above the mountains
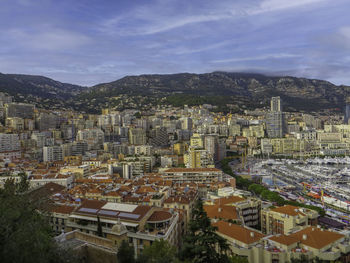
93	41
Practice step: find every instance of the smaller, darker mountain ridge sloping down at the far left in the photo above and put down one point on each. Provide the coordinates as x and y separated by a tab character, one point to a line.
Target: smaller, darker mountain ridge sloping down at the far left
21	86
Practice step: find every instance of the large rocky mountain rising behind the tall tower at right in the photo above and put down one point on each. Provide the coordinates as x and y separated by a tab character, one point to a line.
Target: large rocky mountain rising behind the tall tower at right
241	89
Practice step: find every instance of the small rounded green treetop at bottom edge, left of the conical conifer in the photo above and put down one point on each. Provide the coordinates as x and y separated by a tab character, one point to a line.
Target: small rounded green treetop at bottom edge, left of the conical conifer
159	252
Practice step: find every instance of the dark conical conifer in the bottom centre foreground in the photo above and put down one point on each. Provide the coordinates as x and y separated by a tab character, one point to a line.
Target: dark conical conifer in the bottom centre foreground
202	243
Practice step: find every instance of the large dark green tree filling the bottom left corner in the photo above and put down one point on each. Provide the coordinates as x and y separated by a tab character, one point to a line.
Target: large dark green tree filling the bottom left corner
25	233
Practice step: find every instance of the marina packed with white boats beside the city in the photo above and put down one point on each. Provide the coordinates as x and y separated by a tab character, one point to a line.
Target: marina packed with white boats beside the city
320	182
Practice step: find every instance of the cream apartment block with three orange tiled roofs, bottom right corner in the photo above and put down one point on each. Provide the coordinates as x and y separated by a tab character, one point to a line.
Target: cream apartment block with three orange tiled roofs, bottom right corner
308	243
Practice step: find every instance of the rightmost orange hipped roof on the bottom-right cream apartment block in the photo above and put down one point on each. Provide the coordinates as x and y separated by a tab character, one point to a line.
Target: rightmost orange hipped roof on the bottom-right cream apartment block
316	238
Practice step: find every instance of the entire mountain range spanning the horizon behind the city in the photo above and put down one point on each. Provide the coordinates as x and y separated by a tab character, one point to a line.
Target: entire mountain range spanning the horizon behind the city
224	89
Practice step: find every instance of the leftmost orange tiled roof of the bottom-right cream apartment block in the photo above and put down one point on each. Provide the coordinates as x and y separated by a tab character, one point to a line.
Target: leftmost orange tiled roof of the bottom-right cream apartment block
238	232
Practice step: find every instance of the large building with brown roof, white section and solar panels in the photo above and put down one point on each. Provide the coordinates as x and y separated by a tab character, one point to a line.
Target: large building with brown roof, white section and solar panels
139	225
